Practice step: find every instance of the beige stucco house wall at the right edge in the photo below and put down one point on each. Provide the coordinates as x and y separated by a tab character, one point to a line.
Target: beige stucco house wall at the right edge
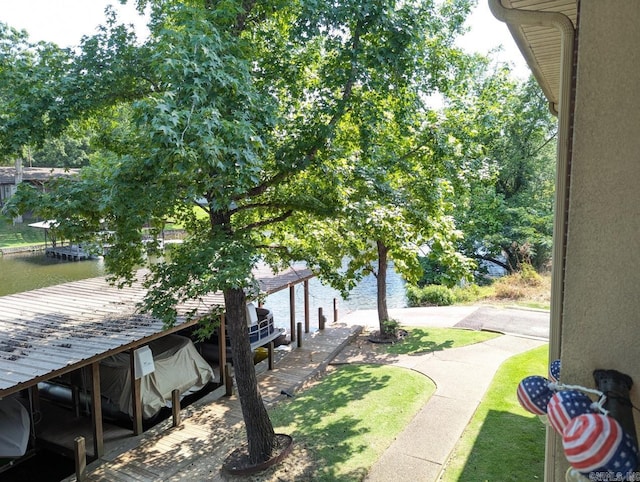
601	327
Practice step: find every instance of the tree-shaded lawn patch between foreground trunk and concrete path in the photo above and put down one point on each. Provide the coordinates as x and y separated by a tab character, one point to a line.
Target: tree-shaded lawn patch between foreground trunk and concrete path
352	416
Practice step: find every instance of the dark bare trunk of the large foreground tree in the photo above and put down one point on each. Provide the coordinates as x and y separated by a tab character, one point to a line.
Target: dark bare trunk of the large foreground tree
260	433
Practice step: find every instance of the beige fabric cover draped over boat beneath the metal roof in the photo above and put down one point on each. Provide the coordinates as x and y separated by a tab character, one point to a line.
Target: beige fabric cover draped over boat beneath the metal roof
178	365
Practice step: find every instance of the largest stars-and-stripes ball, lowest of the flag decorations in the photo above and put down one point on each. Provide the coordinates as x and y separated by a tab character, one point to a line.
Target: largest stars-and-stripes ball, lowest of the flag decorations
594	442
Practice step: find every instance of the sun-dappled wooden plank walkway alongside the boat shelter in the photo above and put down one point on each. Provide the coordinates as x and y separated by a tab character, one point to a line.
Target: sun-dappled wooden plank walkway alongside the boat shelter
196	449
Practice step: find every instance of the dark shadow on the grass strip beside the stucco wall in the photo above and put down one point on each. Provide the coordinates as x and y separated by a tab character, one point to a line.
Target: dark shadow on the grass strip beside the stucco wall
509	447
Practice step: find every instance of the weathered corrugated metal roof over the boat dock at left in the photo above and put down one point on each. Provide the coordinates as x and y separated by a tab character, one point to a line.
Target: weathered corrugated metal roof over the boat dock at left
51	331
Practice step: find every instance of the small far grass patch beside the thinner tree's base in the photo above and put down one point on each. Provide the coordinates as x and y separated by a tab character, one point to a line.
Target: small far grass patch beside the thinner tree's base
424	340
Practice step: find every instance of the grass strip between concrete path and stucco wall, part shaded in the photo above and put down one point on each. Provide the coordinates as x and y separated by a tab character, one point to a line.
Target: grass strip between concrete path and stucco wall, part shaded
503	442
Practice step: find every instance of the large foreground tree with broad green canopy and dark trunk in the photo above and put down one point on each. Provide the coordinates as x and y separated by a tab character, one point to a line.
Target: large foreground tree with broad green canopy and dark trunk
224	120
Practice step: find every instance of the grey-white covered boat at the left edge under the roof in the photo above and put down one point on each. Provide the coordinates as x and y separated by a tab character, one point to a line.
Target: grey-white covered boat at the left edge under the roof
14	428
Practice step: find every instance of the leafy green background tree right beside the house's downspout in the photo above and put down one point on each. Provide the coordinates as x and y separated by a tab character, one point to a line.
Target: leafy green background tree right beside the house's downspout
507	139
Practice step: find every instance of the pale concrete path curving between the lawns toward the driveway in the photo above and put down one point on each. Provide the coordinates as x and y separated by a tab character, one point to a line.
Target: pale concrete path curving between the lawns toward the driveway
462	376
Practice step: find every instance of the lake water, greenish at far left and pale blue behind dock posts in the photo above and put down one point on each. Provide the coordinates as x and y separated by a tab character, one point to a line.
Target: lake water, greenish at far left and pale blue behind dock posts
23	272
